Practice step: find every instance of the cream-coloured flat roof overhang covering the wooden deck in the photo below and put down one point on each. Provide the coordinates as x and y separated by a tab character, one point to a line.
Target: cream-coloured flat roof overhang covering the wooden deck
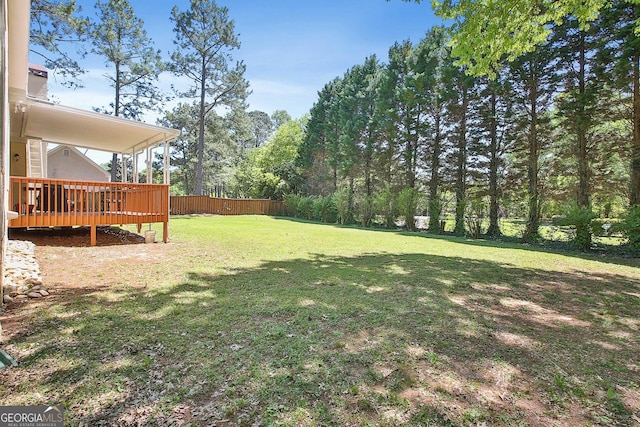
37	119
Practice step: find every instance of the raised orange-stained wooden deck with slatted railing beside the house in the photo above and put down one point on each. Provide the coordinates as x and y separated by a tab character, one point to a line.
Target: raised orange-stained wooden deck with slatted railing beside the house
62	203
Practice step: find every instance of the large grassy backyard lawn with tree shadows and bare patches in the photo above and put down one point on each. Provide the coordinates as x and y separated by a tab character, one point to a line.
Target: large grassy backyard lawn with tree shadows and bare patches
271	321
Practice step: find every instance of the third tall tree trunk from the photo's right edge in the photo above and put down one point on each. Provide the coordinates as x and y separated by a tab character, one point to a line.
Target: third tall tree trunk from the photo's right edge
533	219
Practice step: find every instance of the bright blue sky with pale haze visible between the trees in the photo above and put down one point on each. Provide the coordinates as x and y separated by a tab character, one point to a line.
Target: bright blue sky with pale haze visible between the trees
291	48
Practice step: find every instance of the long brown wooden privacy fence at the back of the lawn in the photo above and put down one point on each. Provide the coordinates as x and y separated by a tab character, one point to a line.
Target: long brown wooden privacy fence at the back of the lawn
185	205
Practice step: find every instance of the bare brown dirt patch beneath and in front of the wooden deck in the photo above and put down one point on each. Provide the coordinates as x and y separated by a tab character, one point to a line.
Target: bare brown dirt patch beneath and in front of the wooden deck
71	267
